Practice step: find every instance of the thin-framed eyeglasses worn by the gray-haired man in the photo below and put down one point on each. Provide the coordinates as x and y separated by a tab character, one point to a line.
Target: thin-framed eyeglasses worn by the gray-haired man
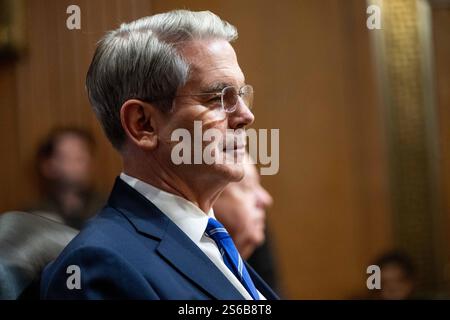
228	97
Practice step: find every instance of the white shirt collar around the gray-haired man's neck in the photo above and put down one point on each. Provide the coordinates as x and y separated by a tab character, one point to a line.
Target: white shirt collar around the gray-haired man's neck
186	215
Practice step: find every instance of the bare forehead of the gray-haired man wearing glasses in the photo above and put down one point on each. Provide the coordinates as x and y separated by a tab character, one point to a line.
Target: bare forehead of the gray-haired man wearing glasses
212	62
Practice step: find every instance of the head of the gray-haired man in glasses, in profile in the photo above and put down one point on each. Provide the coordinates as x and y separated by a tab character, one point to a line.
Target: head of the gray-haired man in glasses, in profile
149	78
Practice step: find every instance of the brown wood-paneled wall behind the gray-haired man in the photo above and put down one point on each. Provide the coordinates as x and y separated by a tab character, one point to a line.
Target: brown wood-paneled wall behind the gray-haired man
311	66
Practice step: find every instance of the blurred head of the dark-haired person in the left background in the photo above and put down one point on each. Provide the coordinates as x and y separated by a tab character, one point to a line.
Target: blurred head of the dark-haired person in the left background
65	158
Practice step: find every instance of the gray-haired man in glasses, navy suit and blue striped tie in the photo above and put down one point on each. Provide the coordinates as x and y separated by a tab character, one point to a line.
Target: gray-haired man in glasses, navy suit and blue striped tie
157	237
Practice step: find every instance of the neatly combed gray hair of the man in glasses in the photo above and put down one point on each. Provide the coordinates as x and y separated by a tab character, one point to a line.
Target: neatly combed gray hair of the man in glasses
140	60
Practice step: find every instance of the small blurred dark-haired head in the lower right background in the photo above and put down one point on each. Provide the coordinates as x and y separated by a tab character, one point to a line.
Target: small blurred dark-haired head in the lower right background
397	276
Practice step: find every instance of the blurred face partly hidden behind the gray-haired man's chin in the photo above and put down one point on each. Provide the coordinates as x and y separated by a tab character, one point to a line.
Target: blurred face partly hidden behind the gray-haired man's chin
241	208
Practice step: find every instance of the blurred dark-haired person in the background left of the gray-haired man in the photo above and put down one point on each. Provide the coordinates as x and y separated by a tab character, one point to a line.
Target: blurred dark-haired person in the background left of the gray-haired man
64	164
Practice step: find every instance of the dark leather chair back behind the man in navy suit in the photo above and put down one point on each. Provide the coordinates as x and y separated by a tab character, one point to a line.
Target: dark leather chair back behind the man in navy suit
27	244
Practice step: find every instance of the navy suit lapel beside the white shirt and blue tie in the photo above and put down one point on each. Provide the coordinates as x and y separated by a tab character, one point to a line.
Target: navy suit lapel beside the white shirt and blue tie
174	246
